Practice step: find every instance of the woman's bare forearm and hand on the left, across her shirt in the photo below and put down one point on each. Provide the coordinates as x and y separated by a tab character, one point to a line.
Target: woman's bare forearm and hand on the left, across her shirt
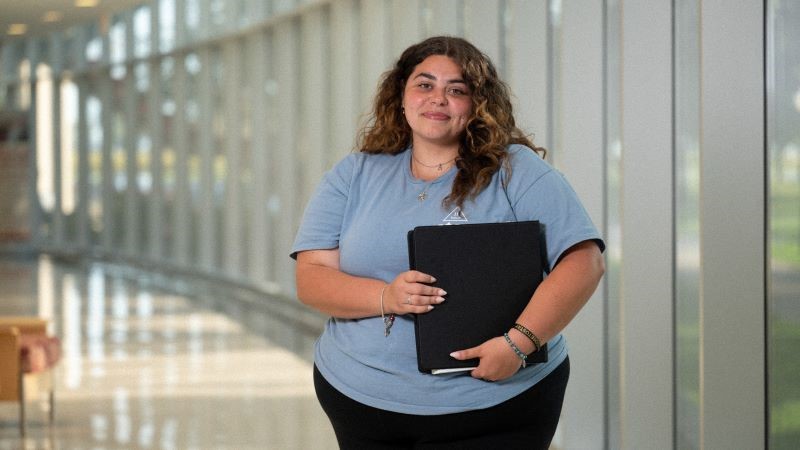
322	286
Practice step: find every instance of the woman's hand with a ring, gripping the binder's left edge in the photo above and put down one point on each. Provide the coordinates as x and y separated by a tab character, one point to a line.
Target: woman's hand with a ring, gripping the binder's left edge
410	293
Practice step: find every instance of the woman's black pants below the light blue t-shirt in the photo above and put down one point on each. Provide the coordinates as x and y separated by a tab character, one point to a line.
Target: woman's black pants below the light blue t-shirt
527	421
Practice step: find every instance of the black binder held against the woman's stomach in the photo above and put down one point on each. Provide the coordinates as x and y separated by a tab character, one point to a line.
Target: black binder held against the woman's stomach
489	271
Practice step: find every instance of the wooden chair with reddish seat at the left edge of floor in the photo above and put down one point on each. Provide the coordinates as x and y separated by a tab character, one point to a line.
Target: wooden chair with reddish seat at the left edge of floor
27	358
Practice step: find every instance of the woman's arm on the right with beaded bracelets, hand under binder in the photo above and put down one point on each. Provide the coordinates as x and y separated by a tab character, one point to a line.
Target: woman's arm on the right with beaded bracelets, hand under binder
555	303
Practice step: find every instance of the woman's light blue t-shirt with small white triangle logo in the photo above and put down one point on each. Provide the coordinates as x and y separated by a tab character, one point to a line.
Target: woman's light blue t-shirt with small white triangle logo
365	206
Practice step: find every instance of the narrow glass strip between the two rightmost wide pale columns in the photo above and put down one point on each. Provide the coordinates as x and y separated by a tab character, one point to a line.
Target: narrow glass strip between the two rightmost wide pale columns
687	222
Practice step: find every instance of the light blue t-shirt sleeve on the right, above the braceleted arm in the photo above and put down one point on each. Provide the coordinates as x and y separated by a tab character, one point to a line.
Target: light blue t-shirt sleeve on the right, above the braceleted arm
539	192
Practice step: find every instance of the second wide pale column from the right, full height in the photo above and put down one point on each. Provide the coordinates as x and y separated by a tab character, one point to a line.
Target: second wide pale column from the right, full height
646	303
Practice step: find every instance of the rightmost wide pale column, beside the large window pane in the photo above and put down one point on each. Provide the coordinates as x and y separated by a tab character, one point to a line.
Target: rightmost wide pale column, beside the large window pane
732	322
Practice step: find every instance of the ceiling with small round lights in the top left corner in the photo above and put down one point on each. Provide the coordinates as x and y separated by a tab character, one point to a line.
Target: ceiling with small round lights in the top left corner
32	14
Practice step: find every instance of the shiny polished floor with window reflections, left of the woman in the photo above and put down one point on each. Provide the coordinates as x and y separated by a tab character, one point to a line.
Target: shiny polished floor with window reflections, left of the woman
155	362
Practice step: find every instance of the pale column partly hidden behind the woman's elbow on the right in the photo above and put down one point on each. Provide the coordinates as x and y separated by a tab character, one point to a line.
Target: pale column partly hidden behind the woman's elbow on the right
580	115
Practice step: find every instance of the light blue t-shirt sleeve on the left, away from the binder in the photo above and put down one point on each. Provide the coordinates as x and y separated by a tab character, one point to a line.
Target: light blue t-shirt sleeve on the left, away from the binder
321	225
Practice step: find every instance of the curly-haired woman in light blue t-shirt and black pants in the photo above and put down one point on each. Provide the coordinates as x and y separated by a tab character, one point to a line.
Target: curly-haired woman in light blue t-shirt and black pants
441	148
